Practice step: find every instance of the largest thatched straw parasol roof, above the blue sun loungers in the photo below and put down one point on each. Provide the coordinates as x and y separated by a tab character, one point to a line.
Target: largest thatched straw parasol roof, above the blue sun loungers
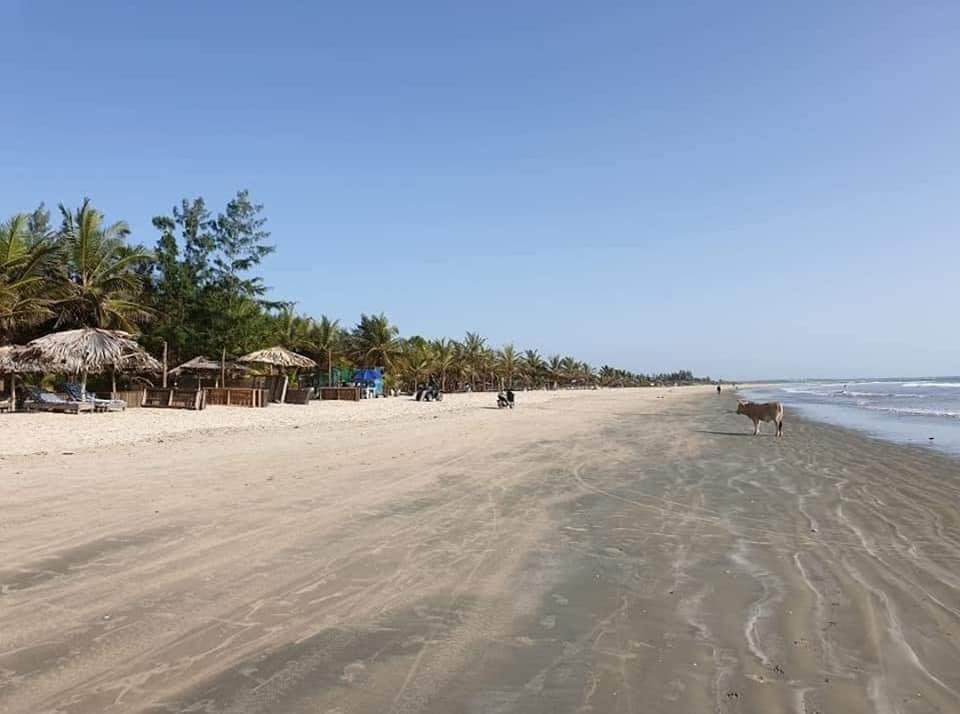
88	351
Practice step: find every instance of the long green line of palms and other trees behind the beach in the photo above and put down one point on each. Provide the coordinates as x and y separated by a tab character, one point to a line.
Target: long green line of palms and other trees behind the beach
199	292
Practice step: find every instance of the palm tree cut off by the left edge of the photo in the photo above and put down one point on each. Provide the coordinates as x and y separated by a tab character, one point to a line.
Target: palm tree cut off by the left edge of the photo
24	292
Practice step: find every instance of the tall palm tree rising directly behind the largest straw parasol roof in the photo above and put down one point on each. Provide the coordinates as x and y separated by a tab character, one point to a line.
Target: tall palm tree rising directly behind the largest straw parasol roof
100	285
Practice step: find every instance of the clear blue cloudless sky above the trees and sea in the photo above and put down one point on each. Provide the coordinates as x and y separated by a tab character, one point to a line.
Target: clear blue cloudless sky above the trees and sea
745	189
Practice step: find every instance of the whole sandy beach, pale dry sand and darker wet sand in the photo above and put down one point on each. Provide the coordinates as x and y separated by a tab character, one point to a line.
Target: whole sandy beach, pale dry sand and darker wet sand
607	551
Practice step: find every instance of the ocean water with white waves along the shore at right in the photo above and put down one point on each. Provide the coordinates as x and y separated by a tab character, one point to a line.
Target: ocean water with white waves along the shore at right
914	411
